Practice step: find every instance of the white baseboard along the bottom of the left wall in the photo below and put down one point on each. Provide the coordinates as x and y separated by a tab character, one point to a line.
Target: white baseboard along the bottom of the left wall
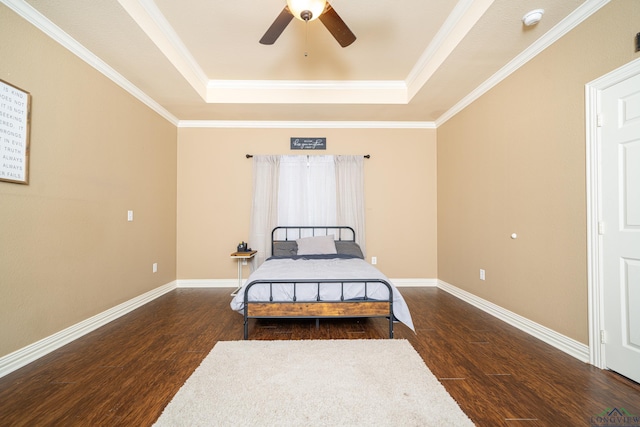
32	352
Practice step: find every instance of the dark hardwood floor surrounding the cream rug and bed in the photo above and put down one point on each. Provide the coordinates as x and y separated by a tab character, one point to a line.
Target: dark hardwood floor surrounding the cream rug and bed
126	372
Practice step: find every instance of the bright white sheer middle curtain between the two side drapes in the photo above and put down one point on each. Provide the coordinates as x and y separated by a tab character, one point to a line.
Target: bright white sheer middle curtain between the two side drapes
307	191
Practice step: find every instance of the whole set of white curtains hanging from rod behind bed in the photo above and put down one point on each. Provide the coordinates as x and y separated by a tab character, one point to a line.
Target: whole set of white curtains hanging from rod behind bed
305	190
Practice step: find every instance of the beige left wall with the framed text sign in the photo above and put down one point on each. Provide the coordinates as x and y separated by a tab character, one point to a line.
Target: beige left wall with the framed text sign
66	249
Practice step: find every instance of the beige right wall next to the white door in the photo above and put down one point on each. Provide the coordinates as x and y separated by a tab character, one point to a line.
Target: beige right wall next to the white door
514	162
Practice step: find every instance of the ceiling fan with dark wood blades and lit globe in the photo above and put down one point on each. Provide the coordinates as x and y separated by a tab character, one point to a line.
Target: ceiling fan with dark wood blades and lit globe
309	10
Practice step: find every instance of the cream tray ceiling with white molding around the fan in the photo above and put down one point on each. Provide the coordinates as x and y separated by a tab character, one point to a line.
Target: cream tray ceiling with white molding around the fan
414	61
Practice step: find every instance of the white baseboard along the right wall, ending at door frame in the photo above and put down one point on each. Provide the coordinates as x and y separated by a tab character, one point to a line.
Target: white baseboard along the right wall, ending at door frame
561	342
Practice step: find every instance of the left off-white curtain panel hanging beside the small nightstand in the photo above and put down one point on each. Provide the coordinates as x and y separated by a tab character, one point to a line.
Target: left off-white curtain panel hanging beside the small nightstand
264	215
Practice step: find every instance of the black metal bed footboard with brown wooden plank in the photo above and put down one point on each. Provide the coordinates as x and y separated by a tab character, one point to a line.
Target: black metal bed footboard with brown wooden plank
318	308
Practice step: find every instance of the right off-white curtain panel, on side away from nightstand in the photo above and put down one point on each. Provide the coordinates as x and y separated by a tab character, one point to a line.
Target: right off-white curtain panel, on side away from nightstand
350	195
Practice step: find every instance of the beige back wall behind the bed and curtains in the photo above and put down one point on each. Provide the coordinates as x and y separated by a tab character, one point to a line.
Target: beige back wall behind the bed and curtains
214	195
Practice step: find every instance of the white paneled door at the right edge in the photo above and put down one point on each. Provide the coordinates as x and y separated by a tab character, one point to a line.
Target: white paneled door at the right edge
620	219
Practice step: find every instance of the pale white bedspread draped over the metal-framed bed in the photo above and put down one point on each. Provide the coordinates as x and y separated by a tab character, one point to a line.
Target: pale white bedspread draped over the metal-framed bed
315	269
